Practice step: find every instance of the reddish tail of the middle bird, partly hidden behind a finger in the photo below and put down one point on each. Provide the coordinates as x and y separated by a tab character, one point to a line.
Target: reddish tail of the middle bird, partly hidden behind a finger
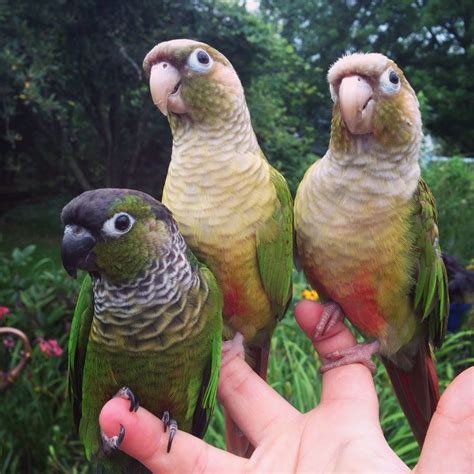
236	442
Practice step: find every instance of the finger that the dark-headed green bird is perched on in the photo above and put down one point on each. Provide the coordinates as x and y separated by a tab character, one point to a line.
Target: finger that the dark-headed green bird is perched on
146	441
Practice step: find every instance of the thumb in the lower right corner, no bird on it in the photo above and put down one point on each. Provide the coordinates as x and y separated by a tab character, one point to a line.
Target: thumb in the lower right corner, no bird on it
450	438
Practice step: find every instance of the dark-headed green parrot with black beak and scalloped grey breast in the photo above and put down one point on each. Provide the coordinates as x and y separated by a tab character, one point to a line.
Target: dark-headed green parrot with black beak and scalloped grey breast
148	321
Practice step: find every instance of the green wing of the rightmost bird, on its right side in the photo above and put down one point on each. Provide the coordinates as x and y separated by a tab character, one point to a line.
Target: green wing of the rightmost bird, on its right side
431	288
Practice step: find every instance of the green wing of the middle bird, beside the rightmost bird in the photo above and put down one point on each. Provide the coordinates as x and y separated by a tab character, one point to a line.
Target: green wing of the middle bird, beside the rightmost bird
275	247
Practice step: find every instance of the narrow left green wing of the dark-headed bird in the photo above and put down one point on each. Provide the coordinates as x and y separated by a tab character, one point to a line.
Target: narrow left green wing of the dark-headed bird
78	338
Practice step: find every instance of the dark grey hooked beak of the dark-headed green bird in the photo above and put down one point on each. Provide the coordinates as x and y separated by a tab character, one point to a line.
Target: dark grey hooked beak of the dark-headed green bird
76	250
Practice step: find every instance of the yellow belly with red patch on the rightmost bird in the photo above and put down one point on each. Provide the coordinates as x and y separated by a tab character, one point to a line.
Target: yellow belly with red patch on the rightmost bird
362	262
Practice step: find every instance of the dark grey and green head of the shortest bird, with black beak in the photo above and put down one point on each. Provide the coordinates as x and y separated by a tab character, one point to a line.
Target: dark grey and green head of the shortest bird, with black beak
114	233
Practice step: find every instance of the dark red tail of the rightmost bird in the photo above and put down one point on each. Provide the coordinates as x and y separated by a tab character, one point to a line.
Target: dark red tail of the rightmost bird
416	389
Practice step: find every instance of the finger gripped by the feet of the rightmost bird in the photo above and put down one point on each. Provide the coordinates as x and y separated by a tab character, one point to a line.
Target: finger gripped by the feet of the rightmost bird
349	381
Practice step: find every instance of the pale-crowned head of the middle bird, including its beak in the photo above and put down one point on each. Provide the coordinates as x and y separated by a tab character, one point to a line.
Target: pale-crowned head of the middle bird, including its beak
192	79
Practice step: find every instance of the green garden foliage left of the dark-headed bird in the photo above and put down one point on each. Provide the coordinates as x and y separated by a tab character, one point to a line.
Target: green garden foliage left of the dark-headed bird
36	431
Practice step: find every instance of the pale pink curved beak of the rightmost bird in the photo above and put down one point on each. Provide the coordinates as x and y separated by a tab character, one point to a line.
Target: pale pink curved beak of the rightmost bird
357	104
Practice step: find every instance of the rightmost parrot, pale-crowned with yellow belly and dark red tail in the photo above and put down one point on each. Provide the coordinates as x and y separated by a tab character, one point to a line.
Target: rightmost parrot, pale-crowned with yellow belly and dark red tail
367	236
